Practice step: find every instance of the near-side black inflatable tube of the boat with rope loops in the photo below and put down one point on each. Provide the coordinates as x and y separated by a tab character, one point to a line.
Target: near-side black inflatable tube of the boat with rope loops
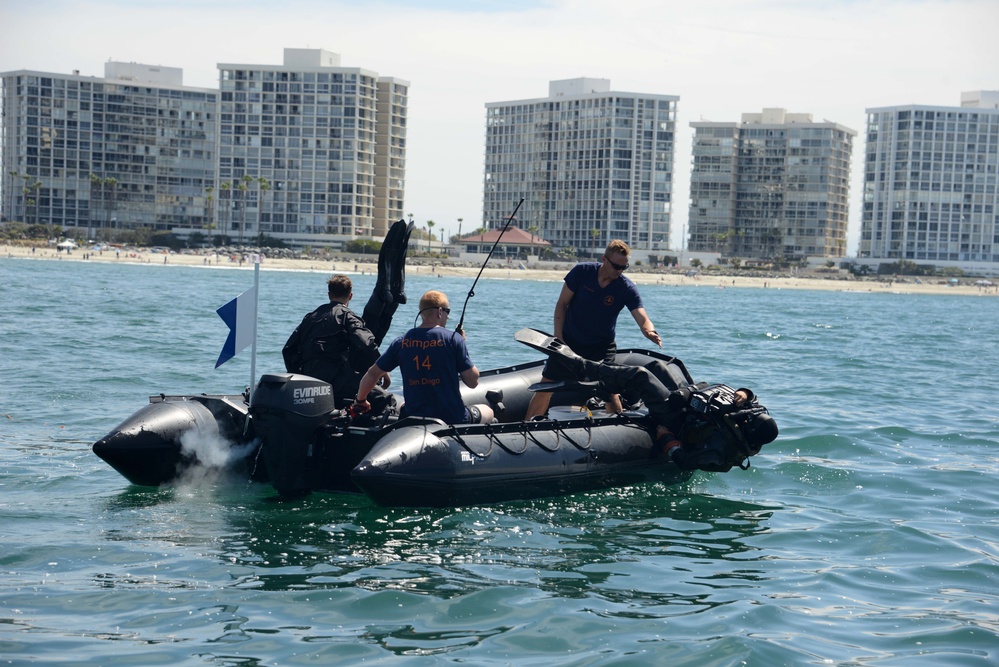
473	465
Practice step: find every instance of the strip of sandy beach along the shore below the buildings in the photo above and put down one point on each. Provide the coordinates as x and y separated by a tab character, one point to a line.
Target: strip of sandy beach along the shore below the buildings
834	282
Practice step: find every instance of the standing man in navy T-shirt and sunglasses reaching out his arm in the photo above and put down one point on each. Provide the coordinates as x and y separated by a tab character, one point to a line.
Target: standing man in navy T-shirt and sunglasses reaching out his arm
593	295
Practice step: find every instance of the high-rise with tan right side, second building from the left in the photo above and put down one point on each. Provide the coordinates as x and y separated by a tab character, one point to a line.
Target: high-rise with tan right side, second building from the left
310	152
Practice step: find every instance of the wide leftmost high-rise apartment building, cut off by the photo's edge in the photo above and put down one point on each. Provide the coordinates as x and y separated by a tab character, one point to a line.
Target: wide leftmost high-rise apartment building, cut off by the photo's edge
135	148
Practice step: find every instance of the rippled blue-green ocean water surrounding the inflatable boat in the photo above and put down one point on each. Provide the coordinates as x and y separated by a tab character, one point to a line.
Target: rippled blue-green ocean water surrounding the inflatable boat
867	534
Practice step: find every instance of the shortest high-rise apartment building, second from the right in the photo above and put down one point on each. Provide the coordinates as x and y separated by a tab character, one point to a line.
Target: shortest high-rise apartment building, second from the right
775	186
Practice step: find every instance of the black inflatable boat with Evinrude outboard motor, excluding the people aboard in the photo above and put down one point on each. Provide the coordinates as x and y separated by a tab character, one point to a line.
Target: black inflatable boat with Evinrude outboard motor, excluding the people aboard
306	445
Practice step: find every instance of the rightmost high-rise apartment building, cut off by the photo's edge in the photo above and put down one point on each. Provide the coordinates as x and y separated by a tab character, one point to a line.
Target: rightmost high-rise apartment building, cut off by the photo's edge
931	188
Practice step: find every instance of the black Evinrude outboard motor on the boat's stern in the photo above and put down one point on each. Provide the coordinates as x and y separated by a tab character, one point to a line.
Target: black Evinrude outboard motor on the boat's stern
287	411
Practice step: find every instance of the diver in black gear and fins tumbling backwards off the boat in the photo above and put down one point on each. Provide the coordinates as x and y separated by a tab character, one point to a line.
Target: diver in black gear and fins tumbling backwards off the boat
719	427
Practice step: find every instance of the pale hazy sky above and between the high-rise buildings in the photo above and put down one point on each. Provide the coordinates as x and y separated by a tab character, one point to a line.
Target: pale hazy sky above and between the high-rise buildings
830	58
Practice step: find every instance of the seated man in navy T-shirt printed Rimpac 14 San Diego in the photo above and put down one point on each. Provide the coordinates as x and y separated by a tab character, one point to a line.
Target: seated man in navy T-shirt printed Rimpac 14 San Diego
432	360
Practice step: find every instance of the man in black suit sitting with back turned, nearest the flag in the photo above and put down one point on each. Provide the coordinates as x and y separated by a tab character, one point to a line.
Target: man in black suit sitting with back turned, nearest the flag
332	343
